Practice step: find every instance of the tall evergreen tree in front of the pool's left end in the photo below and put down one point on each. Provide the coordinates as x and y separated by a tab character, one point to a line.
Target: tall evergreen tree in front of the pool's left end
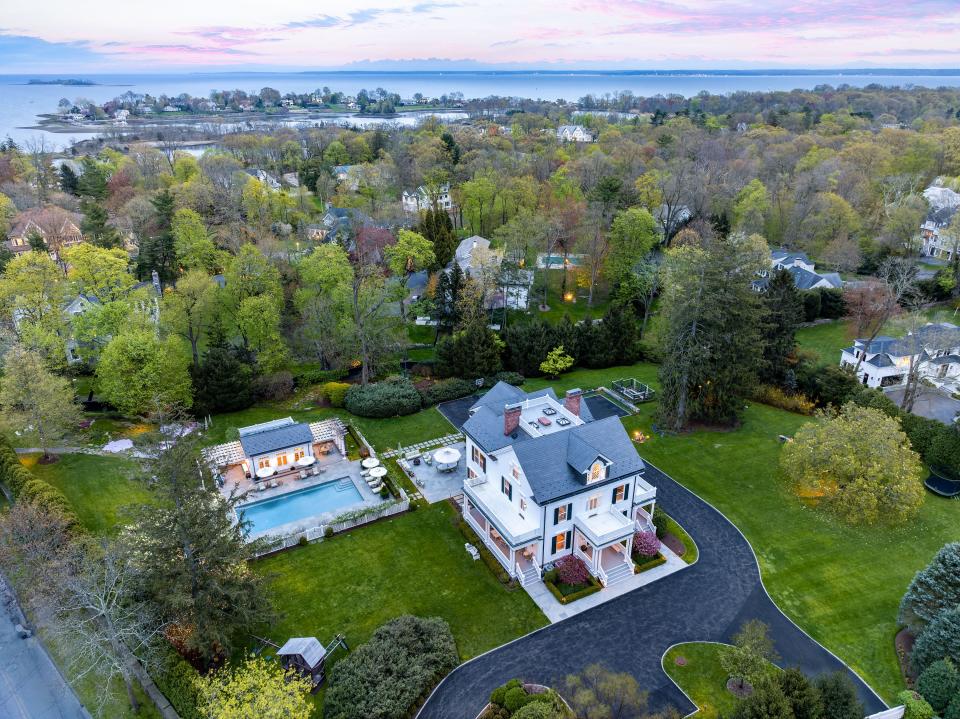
193	558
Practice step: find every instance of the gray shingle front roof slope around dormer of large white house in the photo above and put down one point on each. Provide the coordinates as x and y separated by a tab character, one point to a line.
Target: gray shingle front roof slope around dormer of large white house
546	461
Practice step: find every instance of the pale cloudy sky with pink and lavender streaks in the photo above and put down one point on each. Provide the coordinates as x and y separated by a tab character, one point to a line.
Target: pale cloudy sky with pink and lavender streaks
62	36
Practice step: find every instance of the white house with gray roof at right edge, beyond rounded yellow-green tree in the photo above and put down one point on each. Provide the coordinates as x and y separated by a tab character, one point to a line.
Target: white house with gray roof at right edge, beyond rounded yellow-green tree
887	360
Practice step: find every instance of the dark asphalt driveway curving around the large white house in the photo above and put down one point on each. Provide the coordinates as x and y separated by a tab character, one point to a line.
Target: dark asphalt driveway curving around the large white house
706	602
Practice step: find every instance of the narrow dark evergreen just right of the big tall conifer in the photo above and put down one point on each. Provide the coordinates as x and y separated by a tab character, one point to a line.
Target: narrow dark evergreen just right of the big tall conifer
784	309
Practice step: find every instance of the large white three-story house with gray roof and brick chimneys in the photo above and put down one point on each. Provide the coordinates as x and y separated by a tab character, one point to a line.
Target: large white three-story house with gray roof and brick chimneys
546	480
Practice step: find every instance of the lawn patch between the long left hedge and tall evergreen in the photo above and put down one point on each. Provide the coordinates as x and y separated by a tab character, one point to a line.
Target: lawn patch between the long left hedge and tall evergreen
98	488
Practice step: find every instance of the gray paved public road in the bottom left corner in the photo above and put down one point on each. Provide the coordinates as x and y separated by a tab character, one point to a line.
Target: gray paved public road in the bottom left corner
30	686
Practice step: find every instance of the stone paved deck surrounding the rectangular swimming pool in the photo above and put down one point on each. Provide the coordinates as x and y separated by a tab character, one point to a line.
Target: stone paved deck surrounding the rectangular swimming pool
337	468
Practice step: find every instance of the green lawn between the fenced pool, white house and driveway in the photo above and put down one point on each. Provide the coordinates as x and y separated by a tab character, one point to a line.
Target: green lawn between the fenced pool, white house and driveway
412	564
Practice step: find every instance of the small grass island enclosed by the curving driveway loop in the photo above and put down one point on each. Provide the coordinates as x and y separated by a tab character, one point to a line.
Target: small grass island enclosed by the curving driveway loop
701	677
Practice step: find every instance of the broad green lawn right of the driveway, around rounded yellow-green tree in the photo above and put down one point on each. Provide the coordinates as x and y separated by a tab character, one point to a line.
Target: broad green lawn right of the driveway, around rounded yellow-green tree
841	584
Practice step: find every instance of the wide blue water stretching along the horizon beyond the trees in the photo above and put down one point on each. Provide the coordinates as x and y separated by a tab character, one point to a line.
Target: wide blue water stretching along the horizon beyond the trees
20	103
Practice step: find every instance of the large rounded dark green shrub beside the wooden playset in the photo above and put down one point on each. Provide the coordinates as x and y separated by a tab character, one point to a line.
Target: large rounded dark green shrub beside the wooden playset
388	675
